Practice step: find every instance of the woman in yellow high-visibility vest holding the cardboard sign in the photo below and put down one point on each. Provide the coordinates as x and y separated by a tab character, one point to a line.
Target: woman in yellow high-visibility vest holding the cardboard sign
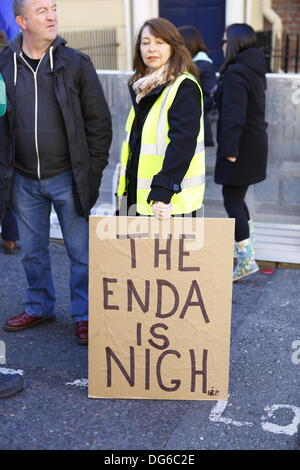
162	159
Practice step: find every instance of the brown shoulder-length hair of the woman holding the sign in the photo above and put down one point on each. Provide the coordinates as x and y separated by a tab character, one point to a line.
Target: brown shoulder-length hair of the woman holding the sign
180	59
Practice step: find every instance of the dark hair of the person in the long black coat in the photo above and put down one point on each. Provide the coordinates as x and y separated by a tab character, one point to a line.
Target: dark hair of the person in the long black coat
240	36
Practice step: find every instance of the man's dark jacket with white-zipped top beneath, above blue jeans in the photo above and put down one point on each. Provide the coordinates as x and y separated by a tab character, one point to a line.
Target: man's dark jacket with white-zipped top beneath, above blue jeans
57	118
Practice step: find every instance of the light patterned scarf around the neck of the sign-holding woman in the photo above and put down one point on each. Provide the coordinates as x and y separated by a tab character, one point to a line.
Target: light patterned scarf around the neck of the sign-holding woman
145	84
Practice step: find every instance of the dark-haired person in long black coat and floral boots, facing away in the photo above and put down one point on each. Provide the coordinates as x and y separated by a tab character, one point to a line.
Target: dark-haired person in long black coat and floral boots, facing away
241	135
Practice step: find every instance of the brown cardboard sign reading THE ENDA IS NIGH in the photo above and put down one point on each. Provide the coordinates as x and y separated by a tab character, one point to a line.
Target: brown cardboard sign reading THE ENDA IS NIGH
160	307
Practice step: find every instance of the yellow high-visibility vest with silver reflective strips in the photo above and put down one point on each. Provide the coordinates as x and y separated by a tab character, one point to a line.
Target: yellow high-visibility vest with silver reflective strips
154	143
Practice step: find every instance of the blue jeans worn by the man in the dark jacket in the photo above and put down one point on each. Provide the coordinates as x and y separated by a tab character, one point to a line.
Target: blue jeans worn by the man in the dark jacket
32	205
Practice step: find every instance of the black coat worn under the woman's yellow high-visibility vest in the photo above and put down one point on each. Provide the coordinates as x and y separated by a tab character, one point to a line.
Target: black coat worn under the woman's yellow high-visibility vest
184	125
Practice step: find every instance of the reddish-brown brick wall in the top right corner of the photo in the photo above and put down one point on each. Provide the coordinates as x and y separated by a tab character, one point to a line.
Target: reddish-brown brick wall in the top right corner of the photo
289	12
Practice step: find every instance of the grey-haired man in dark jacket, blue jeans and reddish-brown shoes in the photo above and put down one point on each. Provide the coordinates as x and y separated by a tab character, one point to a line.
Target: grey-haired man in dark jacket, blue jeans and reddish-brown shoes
58	133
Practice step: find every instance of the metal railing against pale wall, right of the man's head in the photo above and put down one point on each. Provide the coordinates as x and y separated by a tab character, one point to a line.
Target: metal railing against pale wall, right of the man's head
100	44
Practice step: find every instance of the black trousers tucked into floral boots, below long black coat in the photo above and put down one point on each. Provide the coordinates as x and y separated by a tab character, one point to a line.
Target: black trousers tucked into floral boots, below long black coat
237	209
